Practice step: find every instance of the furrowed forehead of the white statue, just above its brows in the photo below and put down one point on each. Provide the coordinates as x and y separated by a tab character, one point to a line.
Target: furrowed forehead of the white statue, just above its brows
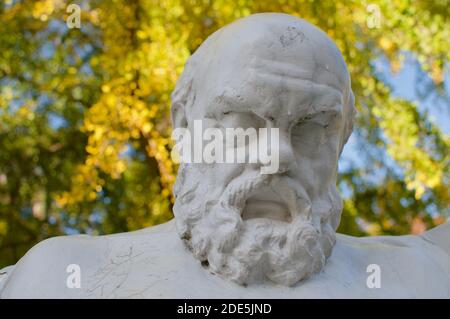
273	87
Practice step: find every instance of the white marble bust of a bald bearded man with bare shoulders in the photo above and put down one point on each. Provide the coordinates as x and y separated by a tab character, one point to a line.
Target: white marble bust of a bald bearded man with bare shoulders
238	233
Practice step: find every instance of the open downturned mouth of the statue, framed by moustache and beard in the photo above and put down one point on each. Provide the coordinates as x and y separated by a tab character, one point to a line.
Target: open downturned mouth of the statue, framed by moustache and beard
266	203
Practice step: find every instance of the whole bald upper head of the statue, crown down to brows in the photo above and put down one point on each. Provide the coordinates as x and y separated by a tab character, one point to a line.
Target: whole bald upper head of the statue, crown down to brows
266	61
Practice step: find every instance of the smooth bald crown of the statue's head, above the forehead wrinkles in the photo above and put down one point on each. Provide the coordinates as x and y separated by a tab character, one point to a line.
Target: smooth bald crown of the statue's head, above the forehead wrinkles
289	44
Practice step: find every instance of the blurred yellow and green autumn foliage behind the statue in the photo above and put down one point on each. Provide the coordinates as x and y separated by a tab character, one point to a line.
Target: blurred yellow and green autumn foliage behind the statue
84	113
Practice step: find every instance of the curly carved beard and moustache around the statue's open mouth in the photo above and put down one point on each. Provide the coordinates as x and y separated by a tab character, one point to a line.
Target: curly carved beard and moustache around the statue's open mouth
209	221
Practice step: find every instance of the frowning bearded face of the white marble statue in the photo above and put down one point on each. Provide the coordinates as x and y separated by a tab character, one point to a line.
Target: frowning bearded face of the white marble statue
241	224
